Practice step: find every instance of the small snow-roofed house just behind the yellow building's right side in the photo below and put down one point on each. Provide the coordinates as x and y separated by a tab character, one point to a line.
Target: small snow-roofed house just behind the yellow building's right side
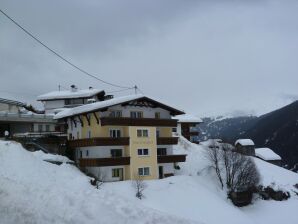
188	127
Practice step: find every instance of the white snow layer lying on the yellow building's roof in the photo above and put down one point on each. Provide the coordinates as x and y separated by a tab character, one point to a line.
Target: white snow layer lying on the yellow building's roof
98	105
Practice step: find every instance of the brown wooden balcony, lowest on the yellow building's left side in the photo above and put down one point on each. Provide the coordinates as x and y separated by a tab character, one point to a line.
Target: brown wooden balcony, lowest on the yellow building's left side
97	162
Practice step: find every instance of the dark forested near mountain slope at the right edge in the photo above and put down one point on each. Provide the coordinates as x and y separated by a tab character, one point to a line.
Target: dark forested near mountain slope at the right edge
278	130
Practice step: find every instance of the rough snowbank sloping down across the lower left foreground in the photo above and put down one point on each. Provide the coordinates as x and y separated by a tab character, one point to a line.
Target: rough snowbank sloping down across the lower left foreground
34	191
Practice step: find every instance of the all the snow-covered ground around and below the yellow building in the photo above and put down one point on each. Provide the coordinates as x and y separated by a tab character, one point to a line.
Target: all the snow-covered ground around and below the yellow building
34	191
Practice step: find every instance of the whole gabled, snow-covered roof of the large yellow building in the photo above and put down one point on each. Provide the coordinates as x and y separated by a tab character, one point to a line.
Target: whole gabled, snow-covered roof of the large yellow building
92	107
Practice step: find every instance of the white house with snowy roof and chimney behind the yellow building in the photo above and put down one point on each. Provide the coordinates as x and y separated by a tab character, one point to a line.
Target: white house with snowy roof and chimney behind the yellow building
57	101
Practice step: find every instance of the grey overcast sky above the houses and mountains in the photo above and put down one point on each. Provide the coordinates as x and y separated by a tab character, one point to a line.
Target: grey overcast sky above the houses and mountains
205	57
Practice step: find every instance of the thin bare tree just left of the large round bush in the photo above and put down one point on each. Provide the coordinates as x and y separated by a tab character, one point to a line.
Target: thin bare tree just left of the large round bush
214	156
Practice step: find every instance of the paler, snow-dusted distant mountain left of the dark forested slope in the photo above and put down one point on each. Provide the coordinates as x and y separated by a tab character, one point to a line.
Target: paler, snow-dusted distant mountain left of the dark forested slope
226	128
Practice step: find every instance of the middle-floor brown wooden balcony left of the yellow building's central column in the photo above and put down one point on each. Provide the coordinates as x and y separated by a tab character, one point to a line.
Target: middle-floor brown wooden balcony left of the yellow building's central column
98	142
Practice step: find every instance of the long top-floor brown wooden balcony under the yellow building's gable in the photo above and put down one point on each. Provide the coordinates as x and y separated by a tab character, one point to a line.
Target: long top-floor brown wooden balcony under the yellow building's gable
127	121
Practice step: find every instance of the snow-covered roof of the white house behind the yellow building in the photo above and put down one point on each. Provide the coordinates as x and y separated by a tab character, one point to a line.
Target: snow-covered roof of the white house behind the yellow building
68	94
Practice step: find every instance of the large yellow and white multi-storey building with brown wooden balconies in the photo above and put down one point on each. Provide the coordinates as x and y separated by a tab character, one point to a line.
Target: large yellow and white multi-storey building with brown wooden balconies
123	138
